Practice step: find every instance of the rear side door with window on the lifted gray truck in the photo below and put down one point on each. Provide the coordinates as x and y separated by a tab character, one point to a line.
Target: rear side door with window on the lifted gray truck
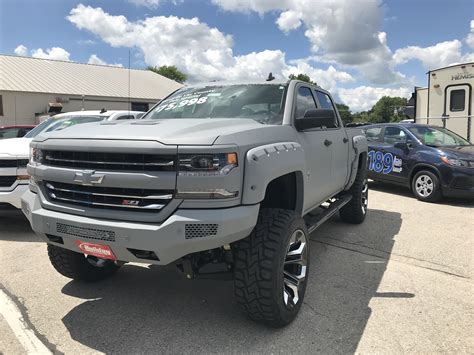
338	141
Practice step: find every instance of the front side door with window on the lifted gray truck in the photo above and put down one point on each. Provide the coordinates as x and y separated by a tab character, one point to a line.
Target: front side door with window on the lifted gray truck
318	155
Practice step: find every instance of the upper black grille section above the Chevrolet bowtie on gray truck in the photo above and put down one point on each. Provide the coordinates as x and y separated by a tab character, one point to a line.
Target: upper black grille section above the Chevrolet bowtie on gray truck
109	161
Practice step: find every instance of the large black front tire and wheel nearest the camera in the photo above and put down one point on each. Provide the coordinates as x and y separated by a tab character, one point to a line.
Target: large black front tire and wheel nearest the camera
271	267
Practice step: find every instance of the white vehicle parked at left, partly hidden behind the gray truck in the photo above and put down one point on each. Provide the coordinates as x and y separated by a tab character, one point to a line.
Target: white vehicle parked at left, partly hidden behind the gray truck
14	152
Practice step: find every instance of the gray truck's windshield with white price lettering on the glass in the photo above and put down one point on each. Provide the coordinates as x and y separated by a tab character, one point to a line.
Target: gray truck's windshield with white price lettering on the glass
262	102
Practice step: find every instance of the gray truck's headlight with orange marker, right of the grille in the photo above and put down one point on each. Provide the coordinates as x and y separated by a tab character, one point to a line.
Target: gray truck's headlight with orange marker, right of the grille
207	164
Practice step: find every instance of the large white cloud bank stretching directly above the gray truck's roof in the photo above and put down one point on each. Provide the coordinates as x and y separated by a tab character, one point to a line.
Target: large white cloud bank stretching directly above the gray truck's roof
203	52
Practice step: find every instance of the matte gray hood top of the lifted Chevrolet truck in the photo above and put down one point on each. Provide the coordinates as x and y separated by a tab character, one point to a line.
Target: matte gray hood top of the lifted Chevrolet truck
166	131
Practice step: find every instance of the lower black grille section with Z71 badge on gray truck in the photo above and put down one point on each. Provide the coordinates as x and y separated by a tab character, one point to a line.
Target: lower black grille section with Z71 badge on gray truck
124	199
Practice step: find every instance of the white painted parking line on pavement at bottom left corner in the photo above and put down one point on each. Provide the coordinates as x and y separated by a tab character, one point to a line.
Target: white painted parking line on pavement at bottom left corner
14	318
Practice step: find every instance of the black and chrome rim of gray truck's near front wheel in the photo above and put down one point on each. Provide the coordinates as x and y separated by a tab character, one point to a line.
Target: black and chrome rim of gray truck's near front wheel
294	268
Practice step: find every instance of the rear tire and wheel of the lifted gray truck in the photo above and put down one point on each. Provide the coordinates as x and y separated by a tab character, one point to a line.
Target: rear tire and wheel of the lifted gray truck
355	211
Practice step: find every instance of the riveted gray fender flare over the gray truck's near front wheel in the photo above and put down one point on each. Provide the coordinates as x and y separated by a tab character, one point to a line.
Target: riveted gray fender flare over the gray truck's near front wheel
265	163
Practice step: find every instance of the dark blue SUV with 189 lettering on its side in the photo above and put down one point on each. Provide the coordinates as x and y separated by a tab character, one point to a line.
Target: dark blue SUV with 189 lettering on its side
431	160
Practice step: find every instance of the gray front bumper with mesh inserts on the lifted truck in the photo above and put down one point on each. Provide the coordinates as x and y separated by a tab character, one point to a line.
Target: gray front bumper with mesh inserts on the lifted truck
184	232
